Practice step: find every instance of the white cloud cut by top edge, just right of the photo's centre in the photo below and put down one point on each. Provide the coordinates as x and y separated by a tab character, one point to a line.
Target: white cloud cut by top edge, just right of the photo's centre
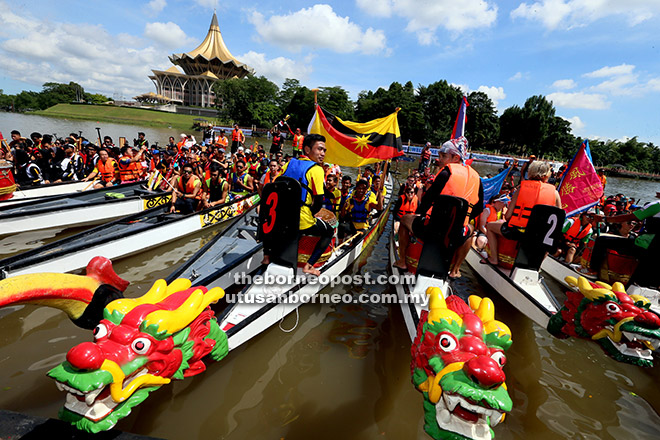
426	16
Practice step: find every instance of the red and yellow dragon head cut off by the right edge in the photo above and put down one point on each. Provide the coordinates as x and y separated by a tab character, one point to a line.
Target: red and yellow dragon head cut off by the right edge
622	324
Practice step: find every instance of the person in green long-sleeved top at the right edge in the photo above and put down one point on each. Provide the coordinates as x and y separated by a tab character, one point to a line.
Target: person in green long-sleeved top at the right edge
645	248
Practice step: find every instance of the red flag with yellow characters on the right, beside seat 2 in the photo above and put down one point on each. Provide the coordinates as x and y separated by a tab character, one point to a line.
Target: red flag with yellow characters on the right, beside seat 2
580	187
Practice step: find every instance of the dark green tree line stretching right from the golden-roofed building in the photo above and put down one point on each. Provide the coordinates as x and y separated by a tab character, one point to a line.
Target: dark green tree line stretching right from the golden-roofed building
428	114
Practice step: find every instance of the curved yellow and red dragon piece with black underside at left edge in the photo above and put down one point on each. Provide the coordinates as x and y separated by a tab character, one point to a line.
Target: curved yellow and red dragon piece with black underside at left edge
82	298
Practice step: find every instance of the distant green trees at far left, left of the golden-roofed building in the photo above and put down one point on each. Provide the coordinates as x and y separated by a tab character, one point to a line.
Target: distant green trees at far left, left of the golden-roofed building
50	95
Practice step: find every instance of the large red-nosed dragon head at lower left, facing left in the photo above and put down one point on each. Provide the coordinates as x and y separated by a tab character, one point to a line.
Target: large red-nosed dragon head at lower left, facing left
139	345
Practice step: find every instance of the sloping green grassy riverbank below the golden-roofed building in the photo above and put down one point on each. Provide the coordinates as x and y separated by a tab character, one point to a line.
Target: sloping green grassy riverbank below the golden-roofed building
120	115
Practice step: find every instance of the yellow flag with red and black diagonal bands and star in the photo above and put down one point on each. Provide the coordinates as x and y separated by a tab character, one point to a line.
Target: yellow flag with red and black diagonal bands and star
352	144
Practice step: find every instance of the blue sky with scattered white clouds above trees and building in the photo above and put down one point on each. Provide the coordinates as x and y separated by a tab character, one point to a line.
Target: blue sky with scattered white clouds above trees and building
598	61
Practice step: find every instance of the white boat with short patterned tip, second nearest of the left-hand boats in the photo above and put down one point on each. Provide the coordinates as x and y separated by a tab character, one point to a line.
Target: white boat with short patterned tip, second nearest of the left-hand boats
86	208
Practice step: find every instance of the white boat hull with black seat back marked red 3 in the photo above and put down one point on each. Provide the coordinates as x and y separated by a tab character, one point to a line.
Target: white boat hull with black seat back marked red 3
285	287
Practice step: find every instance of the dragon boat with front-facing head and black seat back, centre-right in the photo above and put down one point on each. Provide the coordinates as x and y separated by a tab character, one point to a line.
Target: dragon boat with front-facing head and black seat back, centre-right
457	349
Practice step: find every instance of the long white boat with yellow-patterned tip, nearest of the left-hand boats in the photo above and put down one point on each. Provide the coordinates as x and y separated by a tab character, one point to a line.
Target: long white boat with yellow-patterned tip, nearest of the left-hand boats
126	236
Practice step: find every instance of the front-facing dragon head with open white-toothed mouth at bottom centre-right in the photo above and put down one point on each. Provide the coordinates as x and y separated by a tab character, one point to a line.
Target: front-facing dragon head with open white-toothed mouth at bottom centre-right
457	360
